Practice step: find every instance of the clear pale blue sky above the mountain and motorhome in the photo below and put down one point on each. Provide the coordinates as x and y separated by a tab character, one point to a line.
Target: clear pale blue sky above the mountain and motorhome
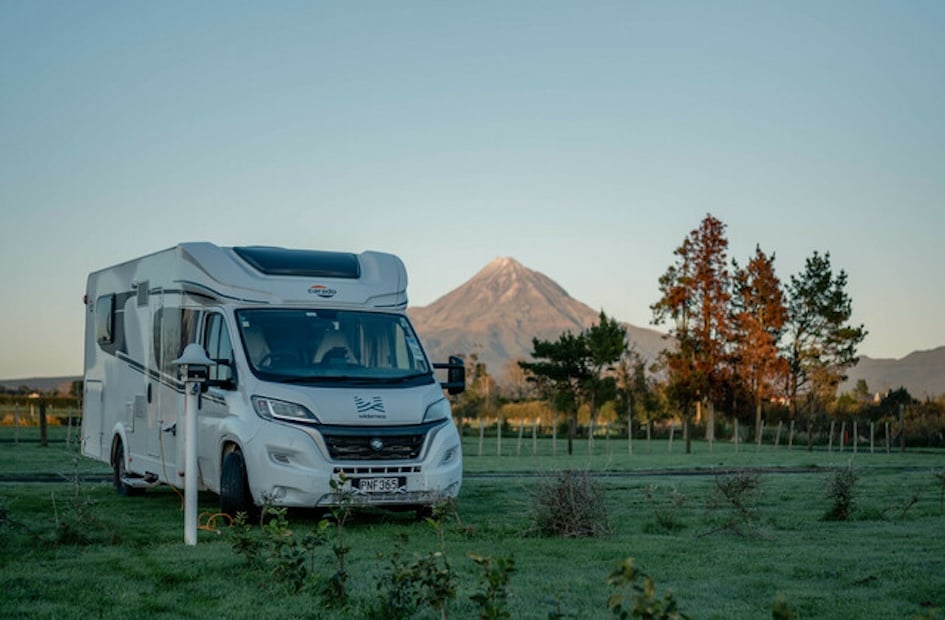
585	139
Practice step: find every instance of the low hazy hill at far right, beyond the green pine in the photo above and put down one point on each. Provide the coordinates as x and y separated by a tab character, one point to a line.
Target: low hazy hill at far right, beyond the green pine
922	373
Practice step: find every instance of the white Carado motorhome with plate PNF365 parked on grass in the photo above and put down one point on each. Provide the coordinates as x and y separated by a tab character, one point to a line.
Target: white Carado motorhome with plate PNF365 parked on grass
317	372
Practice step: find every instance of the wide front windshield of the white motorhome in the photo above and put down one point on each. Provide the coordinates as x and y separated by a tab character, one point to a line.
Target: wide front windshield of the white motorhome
317	345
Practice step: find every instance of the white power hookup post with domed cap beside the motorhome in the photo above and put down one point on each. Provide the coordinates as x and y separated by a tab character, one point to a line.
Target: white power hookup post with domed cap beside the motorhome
194	367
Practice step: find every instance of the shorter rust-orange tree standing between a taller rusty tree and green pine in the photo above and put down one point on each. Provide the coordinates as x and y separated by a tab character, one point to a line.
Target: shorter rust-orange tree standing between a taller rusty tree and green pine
758	318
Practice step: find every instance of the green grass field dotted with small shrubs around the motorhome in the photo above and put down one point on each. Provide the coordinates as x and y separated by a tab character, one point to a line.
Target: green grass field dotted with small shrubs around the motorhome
76	549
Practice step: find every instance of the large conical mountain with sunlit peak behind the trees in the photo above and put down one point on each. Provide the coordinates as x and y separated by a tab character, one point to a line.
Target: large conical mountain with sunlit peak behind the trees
498	311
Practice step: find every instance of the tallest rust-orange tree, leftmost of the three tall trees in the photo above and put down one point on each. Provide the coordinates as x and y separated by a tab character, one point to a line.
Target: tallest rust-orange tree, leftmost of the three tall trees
696	299
